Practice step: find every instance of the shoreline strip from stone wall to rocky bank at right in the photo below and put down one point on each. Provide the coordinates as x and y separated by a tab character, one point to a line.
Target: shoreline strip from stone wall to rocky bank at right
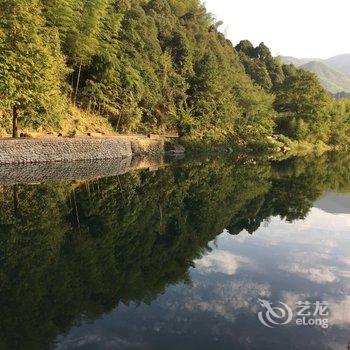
46	150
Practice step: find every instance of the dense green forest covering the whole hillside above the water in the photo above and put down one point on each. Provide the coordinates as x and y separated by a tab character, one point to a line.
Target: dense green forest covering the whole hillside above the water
154	66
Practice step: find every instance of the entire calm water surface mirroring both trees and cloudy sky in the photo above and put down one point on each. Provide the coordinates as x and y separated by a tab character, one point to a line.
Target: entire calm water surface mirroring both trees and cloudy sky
167	259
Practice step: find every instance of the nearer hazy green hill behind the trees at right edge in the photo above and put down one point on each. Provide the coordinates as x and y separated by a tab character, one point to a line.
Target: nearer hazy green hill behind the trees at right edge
332	80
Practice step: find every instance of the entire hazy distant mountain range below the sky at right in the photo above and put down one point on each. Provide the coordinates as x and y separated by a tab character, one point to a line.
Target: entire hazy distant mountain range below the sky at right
334	72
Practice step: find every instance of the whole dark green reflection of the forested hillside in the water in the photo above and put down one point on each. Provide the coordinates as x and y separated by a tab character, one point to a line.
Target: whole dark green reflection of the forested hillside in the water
73	250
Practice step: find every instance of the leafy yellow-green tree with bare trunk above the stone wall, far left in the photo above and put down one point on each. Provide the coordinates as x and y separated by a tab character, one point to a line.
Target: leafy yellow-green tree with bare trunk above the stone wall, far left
31	65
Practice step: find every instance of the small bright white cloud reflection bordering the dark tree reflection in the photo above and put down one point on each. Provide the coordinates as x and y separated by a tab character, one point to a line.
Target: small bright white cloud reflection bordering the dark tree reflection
220	261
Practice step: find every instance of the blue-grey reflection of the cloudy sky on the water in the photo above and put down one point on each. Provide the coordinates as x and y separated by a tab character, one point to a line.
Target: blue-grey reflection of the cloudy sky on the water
304	260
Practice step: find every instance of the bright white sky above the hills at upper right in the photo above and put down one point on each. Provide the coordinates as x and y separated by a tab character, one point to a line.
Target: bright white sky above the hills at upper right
299	28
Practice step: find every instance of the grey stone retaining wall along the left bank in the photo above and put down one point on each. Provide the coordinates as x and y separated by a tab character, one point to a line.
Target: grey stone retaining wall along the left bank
52	150
